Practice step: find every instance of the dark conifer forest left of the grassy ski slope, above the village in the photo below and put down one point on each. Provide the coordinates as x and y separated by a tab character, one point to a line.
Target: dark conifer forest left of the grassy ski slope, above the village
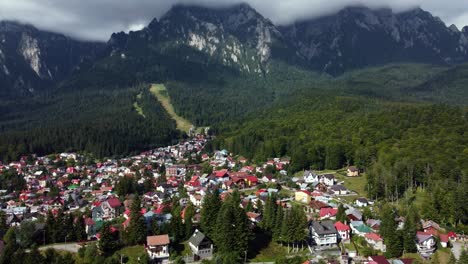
104	123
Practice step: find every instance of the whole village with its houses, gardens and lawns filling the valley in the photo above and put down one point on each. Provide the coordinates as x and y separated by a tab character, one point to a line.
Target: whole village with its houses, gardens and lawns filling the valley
342	225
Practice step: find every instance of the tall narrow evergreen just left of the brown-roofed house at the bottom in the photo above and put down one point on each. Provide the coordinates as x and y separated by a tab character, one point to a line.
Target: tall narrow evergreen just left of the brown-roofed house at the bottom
136	230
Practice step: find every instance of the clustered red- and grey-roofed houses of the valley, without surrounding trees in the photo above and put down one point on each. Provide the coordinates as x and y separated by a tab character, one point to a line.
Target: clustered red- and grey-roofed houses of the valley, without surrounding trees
67	182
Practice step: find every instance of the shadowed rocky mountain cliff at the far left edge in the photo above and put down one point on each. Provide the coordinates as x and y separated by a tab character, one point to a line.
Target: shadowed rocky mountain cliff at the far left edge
32	60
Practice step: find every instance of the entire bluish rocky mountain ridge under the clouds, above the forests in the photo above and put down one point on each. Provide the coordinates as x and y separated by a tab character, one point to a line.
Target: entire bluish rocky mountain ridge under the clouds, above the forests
238	38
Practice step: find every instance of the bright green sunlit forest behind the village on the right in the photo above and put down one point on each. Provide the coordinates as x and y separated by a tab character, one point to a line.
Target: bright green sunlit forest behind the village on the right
402	147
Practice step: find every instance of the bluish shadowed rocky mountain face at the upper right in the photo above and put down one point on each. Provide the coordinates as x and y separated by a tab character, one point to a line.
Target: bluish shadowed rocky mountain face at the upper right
358	37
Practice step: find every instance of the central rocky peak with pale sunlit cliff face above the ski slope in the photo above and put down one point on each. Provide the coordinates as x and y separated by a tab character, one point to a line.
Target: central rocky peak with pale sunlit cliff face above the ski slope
237	36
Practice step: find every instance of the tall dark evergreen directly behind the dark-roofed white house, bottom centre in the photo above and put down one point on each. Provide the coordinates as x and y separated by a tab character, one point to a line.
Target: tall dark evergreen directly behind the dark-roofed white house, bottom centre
209	212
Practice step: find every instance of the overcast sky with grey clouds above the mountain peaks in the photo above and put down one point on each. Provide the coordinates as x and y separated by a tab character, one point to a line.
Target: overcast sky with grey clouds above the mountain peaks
98	19
